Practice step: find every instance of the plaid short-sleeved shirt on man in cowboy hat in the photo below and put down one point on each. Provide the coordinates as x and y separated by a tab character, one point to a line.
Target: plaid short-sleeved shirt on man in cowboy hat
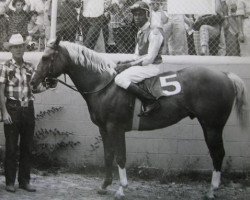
16	79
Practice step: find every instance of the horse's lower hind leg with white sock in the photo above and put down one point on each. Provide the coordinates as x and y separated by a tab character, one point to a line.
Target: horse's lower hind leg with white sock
213	138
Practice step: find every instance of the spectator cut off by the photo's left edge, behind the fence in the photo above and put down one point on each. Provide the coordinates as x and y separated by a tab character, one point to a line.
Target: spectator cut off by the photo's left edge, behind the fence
3	23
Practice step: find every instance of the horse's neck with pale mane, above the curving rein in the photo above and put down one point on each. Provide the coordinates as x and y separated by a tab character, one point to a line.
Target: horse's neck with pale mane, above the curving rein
88	70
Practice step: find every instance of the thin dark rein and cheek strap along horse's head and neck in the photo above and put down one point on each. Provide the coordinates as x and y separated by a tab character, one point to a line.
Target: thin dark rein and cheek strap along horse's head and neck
64	82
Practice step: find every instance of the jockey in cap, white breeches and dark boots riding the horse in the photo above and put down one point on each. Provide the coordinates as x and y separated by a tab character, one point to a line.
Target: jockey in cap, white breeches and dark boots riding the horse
147	61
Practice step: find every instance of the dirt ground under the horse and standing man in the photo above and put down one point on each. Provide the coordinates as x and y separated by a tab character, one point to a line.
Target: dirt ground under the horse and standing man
67	186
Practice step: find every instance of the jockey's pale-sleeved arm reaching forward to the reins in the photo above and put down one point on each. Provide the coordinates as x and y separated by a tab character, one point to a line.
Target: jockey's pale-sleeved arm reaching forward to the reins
155	42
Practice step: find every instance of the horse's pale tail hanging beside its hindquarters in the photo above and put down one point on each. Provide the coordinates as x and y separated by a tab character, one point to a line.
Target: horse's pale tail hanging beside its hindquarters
240	99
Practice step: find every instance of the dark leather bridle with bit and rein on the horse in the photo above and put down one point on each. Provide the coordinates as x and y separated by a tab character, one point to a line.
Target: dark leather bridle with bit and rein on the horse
50	76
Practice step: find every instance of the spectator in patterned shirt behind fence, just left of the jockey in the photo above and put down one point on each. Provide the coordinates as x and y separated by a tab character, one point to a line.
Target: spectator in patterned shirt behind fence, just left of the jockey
121	24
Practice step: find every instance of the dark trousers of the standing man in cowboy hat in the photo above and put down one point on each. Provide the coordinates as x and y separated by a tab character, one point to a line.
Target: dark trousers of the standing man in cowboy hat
23	124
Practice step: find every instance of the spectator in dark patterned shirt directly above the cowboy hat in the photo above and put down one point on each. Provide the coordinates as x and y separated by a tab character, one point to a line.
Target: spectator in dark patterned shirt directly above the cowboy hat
18	18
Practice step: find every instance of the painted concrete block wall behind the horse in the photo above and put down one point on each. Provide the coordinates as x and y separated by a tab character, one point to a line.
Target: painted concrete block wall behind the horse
180	146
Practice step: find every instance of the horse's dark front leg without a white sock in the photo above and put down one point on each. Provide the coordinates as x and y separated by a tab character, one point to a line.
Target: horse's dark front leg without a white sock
109	158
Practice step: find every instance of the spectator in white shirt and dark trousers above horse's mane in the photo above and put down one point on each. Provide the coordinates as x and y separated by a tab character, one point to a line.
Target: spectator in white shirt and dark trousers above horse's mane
92	20
